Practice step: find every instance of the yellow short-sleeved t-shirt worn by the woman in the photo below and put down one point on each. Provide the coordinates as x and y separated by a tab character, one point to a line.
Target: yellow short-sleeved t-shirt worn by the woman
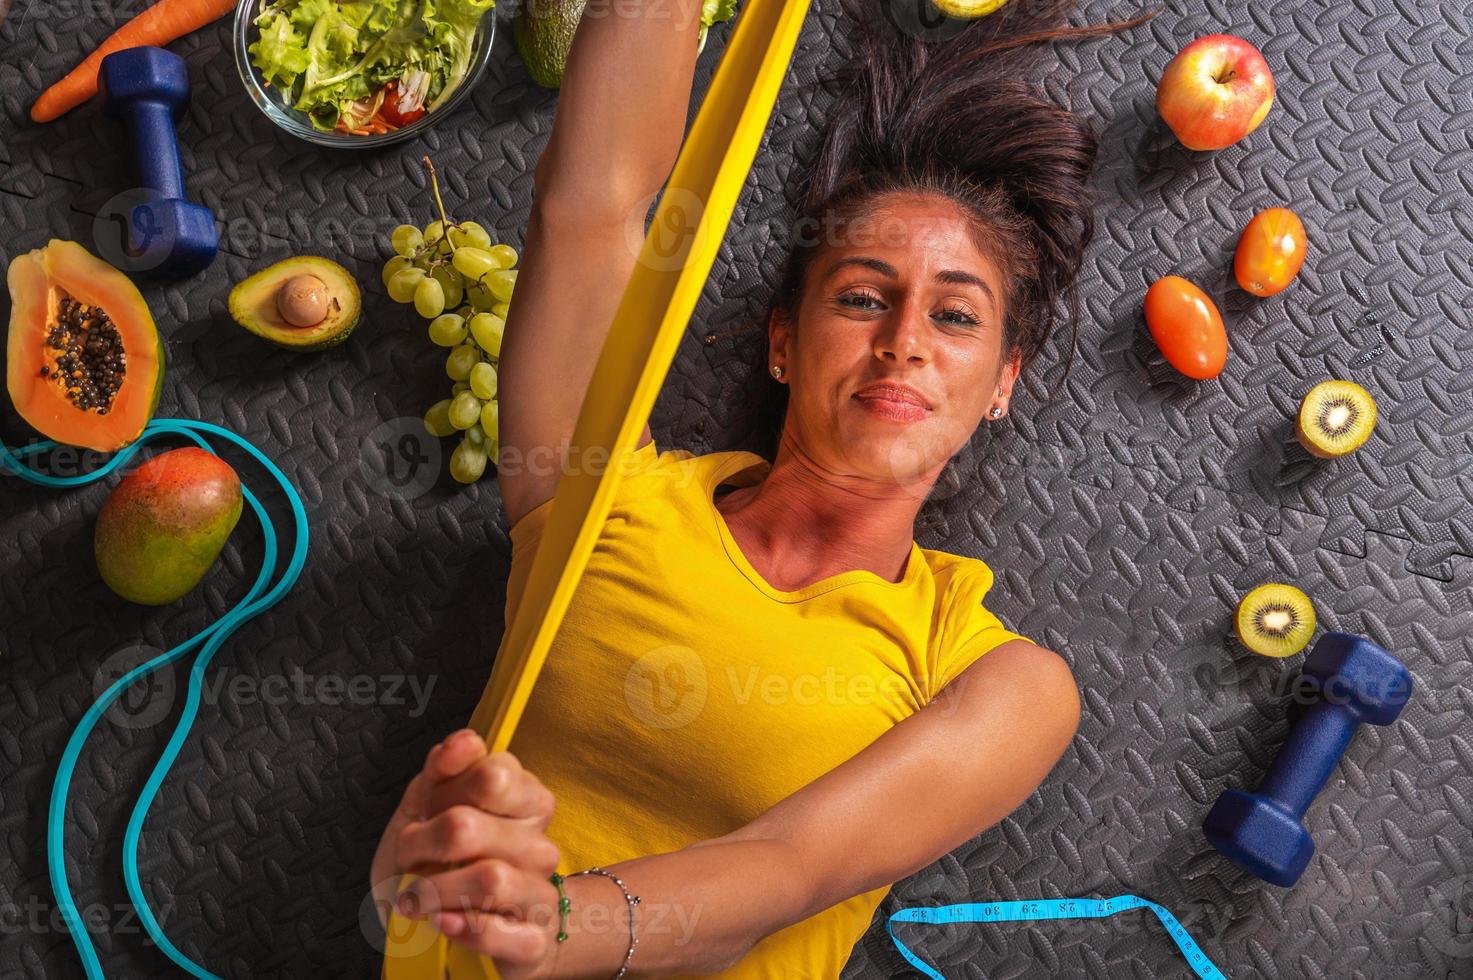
686	696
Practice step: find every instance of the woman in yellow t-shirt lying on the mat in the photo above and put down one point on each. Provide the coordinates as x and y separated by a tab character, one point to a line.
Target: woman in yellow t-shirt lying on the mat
767	704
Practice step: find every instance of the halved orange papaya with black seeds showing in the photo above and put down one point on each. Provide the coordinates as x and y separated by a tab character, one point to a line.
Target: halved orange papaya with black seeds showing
85	359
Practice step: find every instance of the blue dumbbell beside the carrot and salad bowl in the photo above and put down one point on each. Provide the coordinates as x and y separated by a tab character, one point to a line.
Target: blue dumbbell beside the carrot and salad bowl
167	237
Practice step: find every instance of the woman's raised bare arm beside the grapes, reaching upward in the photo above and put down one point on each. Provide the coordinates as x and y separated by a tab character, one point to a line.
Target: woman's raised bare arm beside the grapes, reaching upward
616	135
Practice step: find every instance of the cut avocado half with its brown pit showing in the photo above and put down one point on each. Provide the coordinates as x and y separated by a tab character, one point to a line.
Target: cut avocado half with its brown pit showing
254	304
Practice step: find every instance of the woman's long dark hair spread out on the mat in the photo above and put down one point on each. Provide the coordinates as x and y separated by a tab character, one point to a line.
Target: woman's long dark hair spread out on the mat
958	117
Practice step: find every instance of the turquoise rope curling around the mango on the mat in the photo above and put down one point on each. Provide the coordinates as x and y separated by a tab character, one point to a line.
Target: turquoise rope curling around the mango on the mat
256	602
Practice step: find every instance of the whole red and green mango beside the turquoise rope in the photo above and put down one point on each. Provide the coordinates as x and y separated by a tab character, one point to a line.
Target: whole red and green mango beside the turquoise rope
163	527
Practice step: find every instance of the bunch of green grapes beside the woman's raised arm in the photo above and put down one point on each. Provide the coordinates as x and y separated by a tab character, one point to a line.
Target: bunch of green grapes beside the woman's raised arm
462	284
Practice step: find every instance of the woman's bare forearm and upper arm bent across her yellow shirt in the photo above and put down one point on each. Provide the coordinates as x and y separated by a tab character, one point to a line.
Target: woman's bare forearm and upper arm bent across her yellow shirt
917	794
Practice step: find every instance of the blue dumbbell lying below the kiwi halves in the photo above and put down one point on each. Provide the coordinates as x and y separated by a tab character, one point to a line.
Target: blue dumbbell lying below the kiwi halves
1351	682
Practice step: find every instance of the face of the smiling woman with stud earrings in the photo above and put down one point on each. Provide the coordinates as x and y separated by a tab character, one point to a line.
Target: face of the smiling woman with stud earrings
898	354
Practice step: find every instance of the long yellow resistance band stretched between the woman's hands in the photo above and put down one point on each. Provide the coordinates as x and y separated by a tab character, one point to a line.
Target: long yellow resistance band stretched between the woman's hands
637	357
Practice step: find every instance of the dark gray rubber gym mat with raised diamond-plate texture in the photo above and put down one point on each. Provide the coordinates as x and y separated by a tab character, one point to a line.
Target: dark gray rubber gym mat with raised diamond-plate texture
1125	518
